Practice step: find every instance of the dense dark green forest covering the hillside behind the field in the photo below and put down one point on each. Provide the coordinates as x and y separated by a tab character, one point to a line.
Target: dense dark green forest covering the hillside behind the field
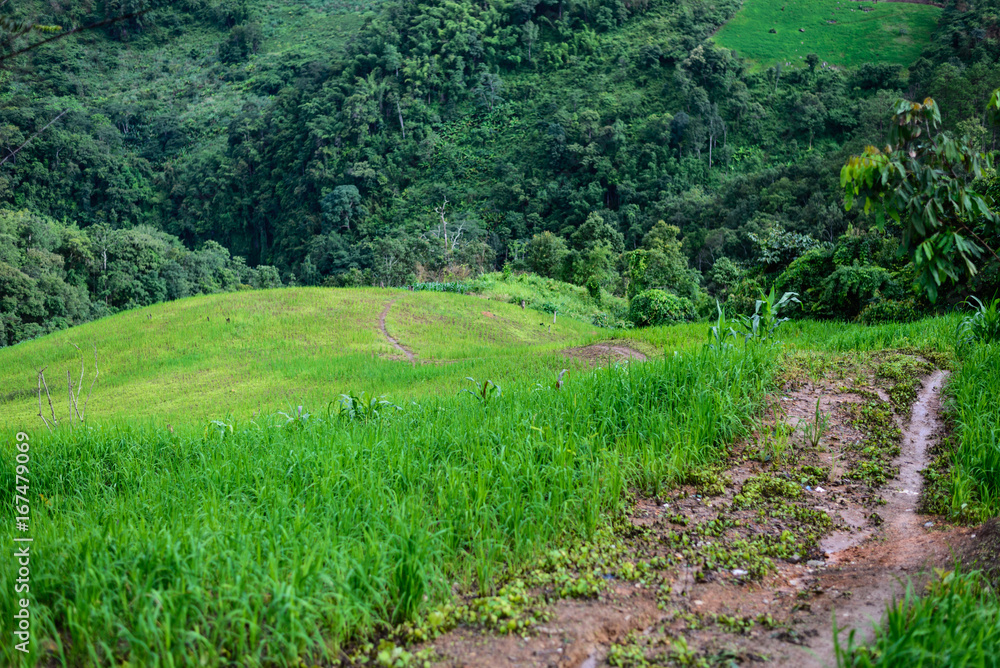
609	143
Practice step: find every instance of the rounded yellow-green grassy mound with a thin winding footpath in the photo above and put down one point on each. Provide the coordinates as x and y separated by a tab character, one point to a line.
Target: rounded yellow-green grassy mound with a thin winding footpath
267	350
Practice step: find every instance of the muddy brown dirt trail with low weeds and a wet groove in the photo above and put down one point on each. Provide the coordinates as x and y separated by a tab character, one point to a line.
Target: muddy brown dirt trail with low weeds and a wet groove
749	562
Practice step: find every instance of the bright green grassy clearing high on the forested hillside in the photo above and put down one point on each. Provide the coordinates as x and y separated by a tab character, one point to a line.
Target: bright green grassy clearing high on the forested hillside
891	32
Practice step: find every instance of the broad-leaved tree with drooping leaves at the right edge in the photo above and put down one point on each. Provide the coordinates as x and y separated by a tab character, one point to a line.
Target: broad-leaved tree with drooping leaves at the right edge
923	181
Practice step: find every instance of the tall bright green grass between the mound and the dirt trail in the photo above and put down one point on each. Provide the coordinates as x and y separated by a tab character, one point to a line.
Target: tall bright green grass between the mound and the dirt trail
266	541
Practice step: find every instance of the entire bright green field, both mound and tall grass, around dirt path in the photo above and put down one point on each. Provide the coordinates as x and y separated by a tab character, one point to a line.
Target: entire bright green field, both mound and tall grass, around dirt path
240	534
